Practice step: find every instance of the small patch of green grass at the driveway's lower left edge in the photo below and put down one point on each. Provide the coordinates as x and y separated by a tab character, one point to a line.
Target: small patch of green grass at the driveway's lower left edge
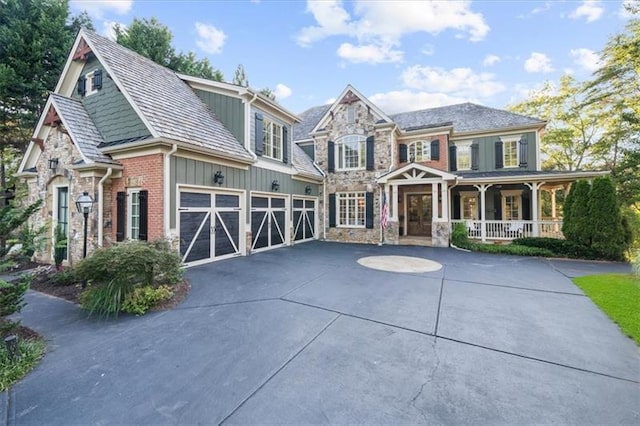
12	370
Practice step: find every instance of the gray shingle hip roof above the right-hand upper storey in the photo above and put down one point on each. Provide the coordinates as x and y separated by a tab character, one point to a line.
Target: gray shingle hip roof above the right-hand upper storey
465	117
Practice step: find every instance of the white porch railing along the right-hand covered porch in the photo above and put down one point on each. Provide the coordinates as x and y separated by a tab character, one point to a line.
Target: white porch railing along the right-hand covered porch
511	229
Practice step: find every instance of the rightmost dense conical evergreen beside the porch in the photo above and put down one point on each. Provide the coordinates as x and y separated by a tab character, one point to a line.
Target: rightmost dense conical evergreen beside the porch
605	228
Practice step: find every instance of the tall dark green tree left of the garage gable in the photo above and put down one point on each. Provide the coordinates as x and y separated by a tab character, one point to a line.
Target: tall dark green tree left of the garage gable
34	42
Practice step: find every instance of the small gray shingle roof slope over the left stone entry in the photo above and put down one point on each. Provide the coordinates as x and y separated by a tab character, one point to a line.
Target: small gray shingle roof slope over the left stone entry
81	128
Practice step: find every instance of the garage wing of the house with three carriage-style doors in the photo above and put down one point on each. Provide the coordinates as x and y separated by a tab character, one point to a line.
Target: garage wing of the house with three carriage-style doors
211	166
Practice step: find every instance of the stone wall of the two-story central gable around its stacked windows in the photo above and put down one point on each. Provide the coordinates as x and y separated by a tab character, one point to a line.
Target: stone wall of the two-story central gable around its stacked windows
358	180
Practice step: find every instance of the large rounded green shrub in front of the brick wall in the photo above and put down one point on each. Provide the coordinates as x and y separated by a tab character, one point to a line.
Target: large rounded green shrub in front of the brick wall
115	271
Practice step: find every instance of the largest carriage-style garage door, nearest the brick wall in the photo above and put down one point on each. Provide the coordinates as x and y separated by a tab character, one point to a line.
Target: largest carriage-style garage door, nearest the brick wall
210	225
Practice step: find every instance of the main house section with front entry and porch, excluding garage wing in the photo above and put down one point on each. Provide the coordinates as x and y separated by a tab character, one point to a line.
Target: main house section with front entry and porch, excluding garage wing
424	170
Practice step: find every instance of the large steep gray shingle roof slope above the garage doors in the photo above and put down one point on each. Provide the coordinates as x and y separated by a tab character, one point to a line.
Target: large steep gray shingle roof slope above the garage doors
169	105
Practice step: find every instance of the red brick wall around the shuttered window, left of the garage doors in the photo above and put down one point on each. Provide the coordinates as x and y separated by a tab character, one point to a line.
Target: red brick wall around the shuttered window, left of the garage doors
145	173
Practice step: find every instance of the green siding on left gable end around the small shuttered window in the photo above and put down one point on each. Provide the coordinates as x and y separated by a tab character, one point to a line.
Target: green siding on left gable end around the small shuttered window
114	117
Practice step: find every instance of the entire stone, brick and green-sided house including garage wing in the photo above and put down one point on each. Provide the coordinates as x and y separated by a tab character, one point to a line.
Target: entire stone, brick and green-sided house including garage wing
222	171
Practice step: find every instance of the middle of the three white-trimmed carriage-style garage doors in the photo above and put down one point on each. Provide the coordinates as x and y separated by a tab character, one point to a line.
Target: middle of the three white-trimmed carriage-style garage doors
268	221
